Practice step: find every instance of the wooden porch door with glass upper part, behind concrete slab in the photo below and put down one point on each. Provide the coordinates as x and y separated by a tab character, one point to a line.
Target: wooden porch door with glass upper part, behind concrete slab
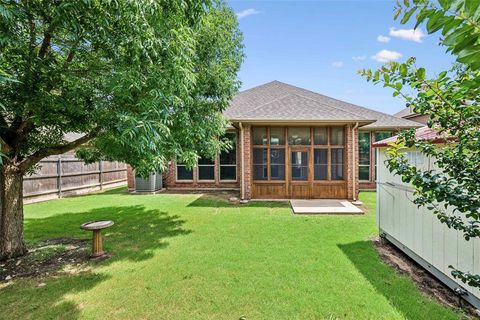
300	173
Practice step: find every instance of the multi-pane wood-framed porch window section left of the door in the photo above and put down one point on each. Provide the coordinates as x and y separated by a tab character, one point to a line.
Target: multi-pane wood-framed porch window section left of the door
269	153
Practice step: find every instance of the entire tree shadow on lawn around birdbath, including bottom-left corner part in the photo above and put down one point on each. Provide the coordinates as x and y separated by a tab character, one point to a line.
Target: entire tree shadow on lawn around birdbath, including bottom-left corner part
137	233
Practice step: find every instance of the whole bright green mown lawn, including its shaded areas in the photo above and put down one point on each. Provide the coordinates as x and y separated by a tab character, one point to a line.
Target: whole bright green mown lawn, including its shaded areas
198	257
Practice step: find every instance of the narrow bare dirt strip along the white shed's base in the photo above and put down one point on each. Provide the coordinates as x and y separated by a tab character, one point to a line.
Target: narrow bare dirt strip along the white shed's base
427	283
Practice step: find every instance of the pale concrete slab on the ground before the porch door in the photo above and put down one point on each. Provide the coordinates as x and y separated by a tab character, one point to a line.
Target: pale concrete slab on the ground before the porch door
324	206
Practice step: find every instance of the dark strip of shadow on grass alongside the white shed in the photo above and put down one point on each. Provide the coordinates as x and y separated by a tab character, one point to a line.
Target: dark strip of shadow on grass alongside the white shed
398	290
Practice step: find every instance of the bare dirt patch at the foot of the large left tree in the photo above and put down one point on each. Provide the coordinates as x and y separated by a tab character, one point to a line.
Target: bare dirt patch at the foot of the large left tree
62	255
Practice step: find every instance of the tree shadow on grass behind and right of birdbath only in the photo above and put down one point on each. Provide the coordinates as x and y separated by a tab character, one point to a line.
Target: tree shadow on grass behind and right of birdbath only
136	232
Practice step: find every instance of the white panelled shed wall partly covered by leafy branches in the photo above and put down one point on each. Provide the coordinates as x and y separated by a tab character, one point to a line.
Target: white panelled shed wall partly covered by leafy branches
419	233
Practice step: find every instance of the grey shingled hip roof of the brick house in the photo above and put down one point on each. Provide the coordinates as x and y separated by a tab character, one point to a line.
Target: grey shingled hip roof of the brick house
277	101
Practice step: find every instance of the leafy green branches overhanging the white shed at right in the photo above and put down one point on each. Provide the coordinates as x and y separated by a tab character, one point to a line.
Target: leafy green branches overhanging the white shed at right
451	100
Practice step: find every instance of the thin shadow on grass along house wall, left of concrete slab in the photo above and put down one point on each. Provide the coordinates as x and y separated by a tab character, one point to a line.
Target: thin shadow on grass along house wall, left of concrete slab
214	201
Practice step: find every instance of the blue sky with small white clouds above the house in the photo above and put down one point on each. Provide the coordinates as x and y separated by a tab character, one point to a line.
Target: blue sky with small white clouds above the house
320	45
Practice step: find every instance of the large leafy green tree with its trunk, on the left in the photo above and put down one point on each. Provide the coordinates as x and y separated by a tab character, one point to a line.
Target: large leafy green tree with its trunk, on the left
143	81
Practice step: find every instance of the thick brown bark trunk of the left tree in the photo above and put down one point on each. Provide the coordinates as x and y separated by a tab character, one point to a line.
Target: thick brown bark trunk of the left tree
11	212
